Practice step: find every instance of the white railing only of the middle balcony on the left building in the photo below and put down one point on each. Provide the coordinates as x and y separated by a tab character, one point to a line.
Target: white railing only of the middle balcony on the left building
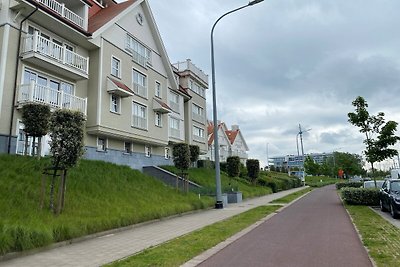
41	45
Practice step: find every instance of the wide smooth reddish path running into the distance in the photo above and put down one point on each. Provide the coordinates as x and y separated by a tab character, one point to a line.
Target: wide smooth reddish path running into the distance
314	231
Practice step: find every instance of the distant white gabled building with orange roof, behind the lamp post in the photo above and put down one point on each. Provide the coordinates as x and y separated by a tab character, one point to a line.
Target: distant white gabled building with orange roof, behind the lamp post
231	142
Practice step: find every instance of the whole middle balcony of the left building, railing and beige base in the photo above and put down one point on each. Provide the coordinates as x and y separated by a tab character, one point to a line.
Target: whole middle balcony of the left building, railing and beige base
54	57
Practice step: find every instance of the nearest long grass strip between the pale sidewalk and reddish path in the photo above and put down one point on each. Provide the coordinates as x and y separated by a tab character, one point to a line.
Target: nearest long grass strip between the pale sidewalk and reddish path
182	249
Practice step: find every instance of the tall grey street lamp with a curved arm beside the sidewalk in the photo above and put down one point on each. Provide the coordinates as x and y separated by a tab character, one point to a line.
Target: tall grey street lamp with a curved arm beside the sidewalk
219	203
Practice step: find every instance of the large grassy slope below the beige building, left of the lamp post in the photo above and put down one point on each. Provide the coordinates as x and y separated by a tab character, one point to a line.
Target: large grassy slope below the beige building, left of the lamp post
99	196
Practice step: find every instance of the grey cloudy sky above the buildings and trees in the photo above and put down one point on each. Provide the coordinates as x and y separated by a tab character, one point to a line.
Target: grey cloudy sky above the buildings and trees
284	62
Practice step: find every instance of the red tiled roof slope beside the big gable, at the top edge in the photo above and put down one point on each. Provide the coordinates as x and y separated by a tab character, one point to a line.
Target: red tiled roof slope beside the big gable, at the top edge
103	16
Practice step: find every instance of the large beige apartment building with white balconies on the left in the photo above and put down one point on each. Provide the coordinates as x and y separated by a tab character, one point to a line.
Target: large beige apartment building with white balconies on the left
104	59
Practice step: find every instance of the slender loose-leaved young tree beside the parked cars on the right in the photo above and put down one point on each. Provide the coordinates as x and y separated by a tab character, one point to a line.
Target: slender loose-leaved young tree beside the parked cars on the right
379	136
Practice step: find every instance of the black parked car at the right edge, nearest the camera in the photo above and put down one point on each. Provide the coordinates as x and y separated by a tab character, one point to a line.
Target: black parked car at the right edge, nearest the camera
389	197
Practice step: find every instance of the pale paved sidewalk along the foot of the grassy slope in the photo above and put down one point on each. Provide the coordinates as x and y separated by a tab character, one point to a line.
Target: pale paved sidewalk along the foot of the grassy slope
108	248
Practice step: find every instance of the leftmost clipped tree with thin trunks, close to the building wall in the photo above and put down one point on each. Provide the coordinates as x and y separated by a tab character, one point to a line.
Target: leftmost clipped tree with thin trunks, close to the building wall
35	118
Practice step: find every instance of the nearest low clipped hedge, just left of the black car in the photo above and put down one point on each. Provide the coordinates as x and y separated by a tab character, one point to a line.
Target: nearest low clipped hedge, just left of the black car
360	196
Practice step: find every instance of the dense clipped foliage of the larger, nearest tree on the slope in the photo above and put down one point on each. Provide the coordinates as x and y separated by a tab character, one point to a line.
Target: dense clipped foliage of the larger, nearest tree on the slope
66	132
